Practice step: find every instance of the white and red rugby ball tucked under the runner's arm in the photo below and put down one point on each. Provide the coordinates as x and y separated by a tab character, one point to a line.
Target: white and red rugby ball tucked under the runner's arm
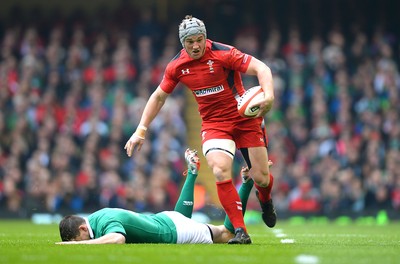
251	96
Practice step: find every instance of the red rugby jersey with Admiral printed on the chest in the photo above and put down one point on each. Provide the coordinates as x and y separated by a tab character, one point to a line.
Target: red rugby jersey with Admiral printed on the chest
214	79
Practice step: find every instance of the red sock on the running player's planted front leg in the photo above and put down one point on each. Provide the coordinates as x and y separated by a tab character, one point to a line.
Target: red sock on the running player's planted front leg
231	203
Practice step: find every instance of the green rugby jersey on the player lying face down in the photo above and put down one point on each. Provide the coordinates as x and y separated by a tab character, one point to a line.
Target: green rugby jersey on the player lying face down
137	228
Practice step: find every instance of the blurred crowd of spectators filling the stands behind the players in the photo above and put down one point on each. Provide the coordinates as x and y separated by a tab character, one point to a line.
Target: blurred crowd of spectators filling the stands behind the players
73	86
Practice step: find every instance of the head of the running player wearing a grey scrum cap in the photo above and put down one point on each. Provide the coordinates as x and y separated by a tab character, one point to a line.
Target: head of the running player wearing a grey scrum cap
193	34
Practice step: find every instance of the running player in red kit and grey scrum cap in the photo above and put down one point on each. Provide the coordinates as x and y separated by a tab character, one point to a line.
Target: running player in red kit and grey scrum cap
211	70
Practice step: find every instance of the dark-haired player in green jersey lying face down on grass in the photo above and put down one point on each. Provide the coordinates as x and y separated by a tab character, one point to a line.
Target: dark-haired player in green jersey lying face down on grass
118	226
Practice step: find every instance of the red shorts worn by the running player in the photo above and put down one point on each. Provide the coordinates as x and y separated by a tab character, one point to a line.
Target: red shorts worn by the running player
245	133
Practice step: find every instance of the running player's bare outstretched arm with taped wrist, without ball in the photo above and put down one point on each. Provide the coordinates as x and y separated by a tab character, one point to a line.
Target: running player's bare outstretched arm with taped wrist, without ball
153	106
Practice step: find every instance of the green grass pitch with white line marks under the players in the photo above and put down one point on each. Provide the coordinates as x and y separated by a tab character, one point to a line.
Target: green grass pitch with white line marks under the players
289	242
